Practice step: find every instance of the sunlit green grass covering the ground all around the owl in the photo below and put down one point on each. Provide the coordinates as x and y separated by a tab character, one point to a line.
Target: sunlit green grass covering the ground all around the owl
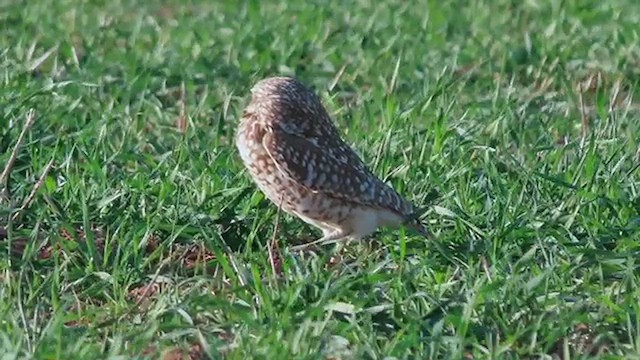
473	109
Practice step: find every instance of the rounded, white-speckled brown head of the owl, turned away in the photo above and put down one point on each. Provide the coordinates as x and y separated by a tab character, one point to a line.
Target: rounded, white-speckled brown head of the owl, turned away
287	104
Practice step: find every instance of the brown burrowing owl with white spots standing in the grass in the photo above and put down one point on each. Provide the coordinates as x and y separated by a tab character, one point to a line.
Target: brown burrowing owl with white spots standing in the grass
294	153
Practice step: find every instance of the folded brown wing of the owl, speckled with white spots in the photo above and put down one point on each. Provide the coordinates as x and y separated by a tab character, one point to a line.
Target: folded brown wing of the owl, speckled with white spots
335	170
